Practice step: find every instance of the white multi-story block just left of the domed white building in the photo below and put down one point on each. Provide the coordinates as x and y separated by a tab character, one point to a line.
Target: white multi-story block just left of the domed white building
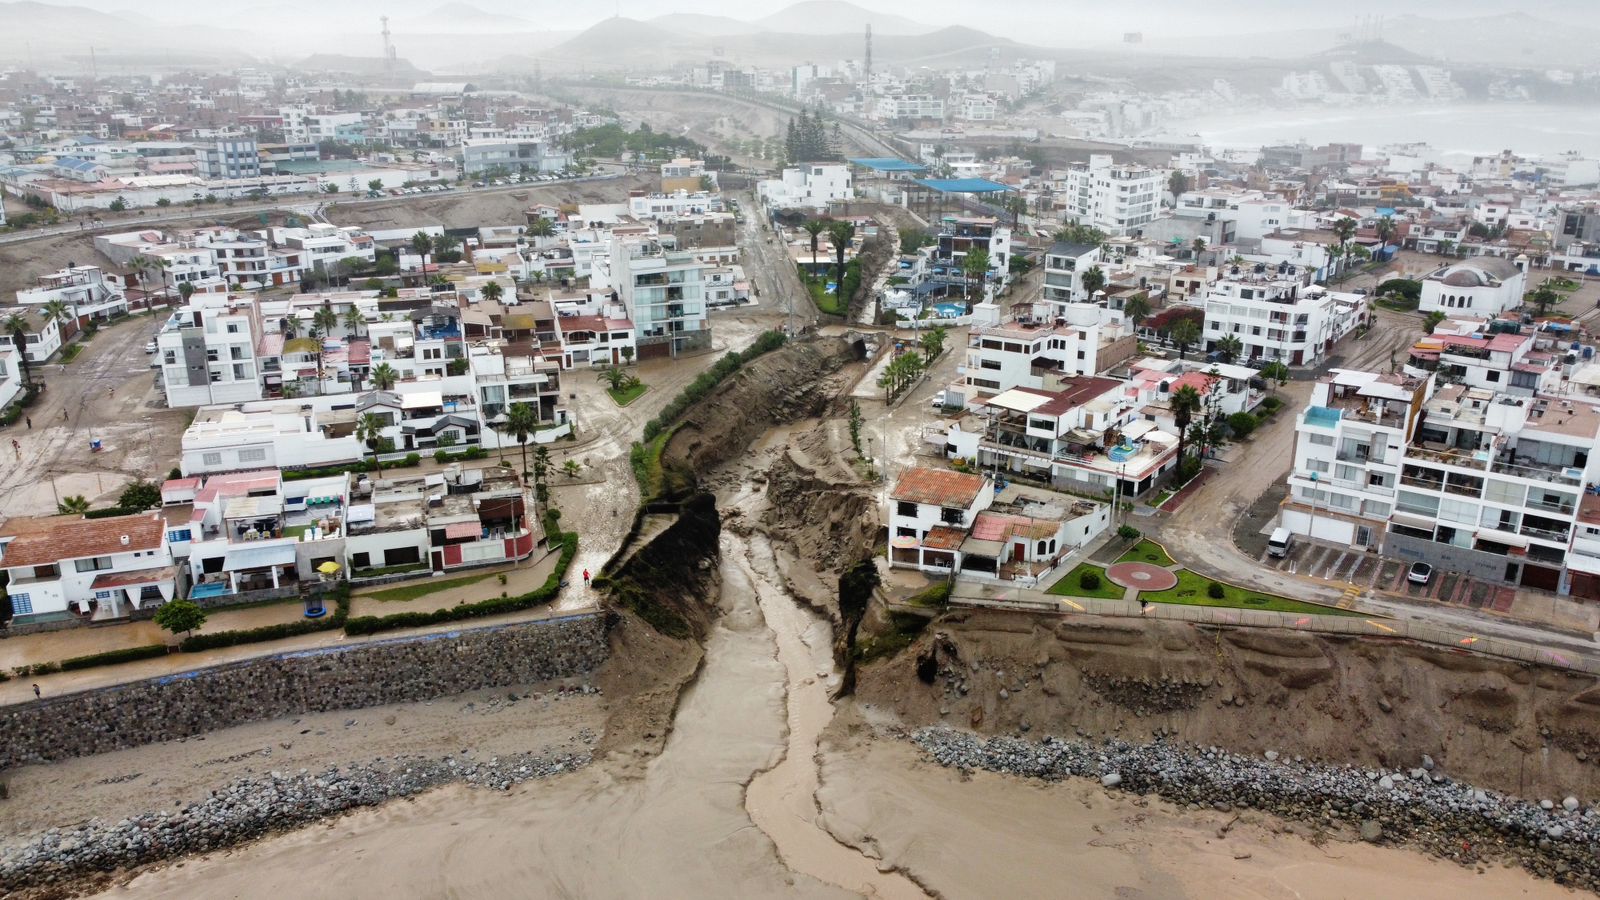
1281	318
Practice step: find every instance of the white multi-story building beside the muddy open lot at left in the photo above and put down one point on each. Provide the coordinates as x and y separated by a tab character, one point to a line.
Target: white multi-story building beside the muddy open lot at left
207	352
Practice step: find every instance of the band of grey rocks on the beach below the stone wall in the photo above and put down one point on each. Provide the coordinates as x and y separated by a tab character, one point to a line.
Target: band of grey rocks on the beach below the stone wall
249	810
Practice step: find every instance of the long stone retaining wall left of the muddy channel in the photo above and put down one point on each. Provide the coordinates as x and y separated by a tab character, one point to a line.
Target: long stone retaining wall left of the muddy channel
289	685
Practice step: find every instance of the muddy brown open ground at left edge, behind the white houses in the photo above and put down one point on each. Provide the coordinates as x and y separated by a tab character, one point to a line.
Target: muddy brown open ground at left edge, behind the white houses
106	395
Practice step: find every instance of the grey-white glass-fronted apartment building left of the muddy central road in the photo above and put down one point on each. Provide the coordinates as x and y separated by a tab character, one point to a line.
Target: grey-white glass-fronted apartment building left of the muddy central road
665	292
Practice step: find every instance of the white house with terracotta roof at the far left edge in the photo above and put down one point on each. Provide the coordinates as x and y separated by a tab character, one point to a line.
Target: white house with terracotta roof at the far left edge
92	569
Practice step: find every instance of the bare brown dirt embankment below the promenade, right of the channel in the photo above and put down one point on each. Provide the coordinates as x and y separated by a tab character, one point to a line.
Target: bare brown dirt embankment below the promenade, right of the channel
1527	731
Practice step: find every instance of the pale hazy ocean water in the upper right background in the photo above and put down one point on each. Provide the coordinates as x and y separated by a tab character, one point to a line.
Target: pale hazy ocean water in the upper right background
1455	132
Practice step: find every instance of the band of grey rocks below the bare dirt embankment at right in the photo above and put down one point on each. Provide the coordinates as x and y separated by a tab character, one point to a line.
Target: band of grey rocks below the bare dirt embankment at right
1420	808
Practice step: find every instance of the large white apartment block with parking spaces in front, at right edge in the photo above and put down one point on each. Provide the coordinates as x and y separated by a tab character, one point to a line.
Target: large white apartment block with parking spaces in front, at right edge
1468	480
